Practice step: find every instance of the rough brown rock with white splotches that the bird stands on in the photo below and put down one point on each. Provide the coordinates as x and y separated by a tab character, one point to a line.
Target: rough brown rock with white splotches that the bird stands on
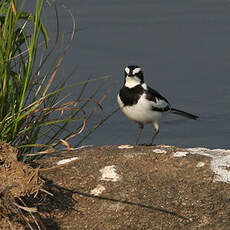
151	191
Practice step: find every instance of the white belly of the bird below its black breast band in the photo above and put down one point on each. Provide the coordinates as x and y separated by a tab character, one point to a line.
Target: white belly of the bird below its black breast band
141	112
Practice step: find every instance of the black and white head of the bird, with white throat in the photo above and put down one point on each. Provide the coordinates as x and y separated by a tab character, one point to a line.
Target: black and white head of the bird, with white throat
133	76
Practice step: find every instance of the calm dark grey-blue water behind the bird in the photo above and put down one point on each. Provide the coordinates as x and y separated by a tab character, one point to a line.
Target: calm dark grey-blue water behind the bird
183	48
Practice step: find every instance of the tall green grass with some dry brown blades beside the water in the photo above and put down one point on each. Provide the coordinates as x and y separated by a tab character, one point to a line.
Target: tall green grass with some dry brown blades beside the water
32	108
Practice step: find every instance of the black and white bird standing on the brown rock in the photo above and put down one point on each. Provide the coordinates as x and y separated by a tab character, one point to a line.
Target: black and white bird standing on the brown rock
143	104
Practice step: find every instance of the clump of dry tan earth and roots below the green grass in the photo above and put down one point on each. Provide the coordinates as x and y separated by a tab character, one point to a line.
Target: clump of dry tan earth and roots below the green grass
18	180
